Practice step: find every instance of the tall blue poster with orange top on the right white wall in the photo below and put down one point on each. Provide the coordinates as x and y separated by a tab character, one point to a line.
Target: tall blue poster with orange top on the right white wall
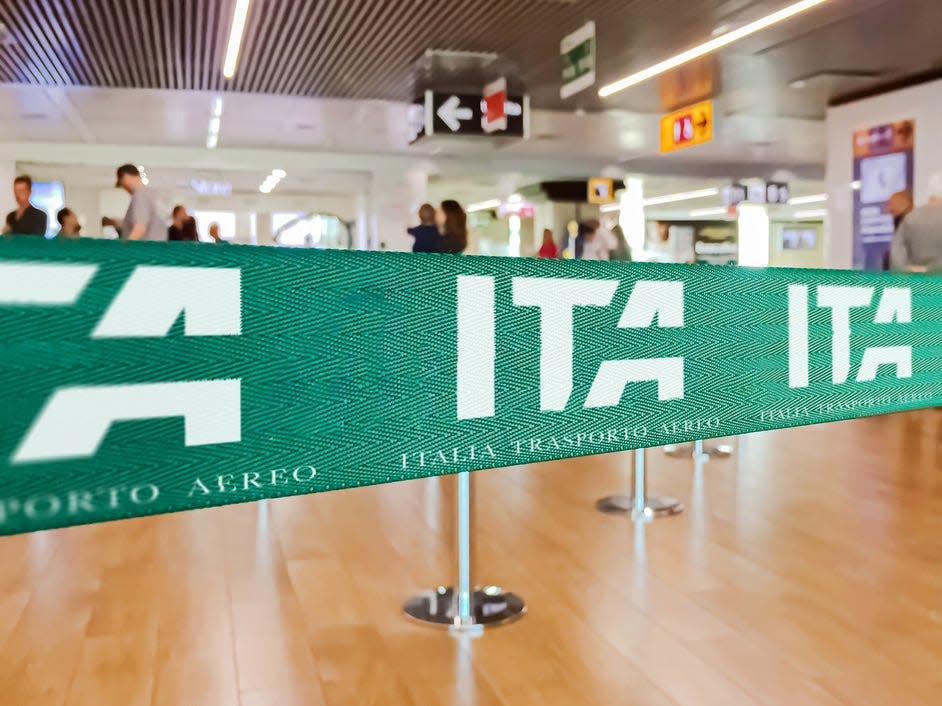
883	166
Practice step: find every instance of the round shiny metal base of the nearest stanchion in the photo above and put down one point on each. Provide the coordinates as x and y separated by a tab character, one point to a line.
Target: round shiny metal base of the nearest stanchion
490	606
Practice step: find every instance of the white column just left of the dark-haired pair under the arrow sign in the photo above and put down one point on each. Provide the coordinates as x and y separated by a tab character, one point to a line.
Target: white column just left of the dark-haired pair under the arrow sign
393	206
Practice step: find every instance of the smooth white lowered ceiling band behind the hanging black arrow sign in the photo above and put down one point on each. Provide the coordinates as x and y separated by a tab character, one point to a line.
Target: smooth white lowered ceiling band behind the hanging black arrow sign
91	125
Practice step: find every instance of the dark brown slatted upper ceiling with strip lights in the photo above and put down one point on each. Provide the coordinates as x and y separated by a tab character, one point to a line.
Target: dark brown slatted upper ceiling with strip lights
369	49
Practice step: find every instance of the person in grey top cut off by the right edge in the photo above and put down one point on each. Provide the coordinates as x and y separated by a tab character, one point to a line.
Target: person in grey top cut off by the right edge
917	243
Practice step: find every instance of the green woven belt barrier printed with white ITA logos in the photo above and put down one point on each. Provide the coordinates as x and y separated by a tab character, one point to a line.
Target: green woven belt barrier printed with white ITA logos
142	378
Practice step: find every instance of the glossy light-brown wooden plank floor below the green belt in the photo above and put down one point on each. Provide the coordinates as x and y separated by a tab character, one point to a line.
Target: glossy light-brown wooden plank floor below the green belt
806	570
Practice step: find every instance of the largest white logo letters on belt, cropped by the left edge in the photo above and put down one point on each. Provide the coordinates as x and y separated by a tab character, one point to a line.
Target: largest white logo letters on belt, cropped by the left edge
75	420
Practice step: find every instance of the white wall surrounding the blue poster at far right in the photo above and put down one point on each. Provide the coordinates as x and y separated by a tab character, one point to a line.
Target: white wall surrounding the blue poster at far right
921	103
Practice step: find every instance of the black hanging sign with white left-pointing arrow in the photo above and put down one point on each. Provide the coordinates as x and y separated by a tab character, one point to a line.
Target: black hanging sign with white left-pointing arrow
445	113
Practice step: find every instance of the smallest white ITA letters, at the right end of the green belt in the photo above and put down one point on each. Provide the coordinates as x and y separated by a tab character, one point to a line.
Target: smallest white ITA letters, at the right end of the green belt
895	306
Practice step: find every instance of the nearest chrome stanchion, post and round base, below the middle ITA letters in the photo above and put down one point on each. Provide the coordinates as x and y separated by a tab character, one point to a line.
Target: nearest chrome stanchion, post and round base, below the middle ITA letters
463	609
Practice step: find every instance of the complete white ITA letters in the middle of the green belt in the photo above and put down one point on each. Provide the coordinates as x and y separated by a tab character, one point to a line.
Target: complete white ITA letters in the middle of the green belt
658	304
